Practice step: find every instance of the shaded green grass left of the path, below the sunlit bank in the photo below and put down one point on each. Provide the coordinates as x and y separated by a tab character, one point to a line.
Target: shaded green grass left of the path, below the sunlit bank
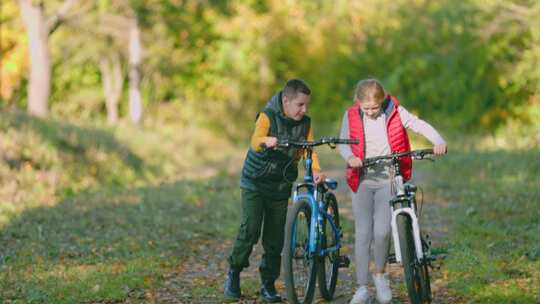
107	246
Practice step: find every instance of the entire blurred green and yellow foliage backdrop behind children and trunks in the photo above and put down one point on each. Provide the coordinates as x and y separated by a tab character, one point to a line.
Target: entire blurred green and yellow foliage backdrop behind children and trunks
468	64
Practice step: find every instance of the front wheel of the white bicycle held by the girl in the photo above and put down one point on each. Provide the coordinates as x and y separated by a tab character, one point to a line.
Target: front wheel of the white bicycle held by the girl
416	272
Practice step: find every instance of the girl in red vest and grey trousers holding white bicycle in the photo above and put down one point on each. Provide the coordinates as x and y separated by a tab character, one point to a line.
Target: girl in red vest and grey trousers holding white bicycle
379	122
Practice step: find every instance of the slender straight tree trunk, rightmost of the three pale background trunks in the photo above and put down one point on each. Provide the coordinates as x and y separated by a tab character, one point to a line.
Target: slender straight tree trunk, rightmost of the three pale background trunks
135	50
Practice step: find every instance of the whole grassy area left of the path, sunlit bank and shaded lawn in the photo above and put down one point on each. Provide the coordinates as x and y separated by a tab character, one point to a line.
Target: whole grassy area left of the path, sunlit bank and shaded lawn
90	214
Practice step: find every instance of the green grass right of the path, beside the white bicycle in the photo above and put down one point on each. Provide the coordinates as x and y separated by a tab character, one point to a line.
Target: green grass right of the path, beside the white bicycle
493	204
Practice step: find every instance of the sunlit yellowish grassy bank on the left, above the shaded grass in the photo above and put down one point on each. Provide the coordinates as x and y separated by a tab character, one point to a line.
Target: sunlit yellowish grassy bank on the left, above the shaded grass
45	161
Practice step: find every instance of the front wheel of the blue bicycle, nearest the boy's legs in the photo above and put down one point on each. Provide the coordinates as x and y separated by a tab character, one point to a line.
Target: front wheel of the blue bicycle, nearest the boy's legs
299	268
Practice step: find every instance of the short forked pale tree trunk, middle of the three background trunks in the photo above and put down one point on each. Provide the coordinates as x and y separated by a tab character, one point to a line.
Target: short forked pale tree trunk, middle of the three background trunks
111	77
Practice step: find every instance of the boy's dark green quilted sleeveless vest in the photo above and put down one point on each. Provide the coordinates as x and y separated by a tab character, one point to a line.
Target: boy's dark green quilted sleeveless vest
273	171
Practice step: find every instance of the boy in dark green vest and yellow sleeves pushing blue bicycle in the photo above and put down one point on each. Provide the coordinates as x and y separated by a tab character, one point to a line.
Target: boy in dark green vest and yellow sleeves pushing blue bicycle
266	182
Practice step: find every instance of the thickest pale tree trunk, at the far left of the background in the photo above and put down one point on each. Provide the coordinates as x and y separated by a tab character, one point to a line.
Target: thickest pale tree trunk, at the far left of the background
39	85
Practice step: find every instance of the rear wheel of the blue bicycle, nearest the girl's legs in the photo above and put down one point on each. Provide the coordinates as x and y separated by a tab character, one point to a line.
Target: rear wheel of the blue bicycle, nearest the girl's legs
329	264
